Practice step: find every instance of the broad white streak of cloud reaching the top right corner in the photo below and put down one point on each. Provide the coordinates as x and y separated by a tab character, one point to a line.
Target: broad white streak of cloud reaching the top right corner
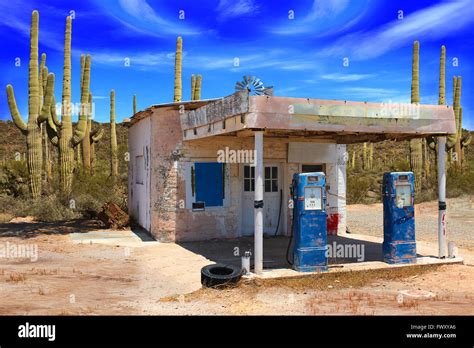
430	23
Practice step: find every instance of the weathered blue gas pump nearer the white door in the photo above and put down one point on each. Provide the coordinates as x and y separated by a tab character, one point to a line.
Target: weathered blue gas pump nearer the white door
309	222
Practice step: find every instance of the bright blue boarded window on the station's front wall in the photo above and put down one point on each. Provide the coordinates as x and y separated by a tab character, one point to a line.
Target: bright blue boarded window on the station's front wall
209	183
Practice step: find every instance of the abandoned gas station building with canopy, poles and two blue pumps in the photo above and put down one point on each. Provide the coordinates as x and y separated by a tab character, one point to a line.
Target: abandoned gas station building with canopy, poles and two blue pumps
179	190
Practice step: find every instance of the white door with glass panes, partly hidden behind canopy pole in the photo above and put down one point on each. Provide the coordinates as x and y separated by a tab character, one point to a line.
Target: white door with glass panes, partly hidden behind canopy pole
271	199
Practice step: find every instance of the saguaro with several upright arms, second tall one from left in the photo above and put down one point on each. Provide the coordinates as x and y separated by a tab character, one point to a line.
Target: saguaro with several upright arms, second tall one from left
61	132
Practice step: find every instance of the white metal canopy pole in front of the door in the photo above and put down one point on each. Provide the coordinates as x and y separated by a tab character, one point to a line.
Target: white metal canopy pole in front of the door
258	203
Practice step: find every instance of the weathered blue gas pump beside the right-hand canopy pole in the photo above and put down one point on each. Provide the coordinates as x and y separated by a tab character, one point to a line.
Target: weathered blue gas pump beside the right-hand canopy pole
399	244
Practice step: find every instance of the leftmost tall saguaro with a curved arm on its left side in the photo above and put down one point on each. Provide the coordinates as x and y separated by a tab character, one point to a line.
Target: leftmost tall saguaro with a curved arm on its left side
32	129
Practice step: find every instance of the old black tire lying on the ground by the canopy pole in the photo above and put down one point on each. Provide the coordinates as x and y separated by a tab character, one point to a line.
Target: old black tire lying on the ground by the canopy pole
219	275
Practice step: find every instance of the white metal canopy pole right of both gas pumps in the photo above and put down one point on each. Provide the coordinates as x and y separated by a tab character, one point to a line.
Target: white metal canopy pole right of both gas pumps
442	197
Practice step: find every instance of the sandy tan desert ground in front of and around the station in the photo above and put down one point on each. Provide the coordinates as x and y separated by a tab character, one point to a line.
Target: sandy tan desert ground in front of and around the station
83	270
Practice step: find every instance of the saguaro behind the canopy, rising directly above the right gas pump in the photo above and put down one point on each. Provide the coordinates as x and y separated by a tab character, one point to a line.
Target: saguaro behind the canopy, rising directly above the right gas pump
416	150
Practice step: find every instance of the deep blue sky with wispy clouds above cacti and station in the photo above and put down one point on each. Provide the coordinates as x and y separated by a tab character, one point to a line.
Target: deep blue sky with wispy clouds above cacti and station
301	56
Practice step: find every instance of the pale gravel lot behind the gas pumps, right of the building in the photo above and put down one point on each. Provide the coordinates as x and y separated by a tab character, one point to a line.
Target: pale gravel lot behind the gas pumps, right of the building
368	219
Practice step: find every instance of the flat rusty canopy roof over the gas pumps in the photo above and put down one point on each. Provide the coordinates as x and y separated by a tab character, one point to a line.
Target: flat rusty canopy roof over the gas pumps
337	120
